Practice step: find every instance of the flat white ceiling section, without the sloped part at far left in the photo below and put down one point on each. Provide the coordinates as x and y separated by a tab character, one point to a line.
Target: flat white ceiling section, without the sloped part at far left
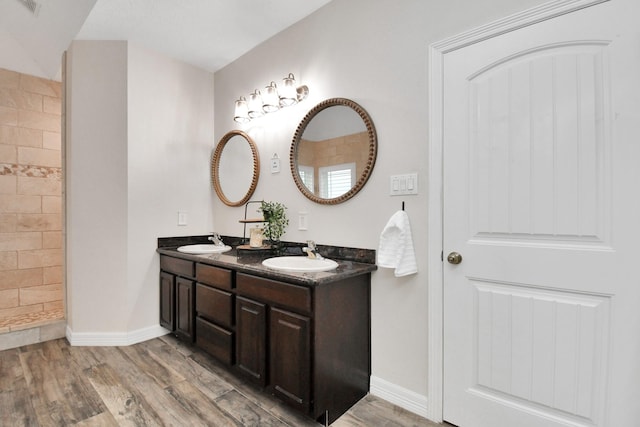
206	33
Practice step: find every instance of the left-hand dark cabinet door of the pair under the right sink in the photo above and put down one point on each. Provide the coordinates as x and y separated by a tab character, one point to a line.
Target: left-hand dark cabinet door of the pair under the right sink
251	318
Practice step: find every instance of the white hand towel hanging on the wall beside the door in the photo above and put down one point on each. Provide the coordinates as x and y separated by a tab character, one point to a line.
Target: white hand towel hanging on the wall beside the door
396	246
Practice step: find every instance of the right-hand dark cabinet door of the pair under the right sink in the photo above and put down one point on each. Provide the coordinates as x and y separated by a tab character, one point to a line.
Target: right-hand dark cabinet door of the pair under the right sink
289	351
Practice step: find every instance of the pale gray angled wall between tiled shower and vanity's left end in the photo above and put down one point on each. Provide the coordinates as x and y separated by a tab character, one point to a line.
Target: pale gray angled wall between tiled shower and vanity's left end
139	135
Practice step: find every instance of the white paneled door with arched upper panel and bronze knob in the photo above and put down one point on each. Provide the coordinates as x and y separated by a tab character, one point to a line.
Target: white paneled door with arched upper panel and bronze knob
542	201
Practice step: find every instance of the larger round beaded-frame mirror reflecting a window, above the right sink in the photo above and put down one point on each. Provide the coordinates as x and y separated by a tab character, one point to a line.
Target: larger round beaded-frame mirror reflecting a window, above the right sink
333	151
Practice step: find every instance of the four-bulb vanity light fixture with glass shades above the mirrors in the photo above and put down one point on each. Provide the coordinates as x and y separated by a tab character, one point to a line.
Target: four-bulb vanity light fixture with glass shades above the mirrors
271	101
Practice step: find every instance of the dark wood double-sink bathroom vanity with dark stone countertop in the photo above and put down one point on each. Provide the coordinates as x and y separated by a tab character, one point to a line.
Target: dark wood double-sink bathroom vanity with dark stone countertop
303	337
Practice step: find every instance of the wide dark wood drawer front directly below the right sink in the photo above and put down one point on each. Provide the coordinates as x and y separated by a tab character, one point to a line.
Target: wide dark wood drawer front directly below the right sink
295	297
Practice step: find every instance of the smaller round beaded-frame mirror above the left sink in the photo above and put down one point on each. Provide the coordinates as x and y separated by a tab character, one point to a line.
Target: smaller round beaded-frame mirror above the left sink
235	168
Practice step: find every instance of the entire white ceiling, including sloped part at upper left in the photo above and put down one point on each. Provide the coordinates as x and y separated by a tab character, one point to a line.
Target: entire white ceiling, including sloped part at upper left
206	33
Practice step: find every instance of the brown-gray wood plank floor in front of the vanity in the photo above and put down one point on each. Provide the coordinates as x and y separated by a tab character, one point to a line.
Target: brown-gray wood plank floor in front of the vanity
160	382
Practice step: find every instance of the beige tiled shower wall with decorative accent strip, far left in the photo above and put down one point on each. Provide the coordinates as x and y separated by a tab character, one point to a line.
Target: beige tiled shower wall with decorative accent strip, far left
31	290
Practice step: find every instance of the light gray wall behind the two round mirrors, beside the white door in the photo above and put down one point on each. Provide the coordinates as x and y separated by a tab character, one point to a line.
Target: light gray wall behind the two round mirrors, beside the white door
375	53
